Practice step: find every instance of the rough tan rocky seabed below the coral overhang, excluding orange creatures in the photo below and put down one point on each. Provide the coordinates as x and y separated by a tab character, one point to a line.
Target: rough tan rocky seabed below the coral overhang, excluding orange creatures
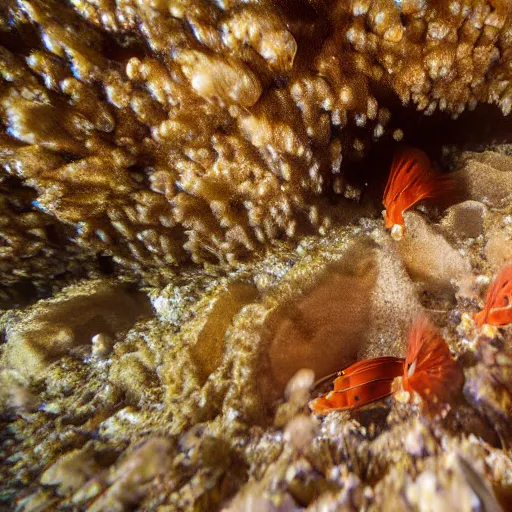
192	396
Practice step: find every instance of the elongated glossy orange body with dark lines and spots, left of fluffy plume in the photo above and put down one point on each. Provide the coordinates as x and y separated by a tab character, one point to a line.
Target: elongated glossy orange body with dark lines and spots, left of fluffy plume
360	384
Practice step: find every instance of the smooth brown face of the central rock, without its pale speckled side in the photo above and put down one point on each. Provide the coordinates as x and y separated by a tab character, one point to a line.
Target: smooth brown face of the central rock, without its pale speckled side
322	322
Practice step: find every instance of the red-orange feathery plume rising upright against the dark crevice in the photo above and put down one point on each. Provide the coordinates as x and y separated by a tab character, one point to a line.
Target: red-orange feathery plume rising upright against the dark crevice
411	179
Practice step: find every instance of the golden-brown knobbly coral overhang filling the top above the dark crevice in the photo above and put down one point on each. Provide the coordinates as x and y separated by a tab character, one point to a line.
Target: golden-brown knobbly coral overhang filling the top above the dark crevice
156	132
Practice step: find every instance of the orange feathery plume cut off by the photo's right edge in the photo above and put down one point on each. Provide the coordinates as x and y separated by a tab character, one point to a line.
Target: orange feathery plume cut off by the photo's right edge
498	303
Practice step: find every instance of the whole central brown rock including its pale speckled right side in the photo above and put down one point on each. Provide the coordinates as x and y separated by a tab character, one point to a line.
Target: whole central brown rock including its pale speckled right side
340	310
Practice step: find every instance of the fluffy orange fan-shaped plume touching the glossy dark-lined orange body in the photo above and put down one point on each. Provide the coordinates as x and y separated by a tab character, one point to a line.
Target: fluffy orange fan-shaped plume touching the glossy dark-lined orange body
429	368
